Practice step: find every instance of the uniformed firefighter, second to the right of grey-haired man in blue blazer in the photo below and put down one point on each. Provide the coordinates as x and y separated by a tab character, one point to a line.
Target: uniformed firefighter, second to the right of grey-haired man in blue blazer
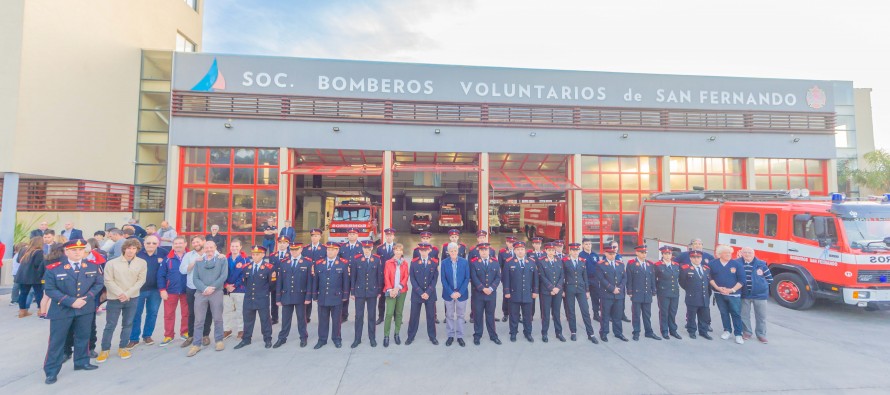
520	278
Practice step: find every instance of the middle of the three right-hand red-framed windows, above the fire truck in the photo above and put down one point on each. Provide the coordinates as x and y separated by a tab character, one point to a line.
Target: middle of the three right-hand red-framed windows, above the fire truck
707	173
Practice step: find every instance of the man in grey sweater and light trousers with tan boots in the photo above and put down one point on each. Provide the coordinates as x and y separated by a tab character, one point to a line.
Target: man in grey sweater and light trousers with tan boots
209	274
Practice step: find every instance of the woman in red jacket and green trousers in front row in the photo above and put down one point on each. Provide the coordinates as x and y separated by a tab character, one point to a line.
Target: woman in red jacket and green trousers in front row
395	286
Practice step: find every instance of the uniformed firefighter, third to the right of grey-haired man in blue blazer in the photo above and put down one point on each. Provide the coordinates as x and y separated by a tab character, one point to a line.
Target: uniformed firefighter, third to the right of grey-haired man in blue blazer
552	284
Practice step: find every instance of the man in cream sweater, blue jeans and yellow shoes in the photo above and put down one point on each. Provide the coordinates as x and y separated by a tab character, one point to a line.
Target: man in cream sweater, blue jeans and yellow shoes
124	277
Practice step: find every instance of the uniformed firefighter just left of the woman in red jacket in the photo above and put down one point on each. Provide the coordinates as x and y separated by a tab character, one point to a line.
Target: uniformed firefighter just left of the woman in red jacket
367	283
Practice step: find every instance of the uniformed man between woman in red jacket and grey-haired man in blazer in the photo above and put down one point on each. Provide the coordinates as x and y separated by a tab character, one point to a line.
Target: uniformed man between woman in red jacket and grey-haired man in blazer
423	274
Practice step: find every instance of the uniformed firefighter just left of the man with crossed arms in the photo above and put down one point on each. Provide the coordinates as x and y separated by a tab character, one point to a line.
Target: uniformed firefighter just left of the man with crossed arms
694	279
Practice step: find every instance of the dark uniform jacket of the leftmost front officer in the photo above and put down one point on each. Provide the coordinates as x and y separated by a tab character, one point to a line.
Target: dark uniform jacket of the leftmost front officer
65	283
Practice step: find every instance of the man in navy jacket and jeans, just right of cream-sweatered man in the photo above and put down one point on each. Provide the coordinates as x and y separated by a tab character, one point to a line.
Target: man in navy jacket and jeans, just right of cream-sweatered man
149	296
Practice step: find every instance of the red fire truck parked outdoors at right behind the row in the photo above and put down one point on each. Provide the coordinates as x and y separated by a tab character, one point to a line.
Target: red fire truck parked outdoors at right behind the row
826	249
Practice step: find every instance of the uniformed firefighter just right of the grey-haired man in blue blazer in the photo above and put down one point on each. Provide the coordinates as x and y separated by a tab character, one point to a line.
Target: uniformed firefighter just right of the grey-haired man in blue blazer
485	275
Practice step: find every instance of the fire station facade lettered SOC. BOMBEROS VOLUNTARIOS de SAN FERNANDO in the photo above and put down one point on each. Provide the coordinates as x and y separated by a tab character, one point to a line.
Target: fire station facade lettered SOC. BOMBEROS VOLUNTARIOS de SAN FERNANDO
271	138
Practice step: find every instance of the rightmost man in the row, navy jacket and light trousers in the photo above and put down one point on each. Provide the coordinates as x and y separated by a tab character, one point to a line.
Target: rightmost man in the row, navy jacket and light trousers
754	294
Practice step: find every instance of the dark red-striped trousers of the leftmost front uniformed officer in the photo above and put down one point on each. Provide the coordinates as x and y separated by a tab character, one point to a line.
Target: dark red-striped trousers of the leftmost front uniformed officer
58	332
